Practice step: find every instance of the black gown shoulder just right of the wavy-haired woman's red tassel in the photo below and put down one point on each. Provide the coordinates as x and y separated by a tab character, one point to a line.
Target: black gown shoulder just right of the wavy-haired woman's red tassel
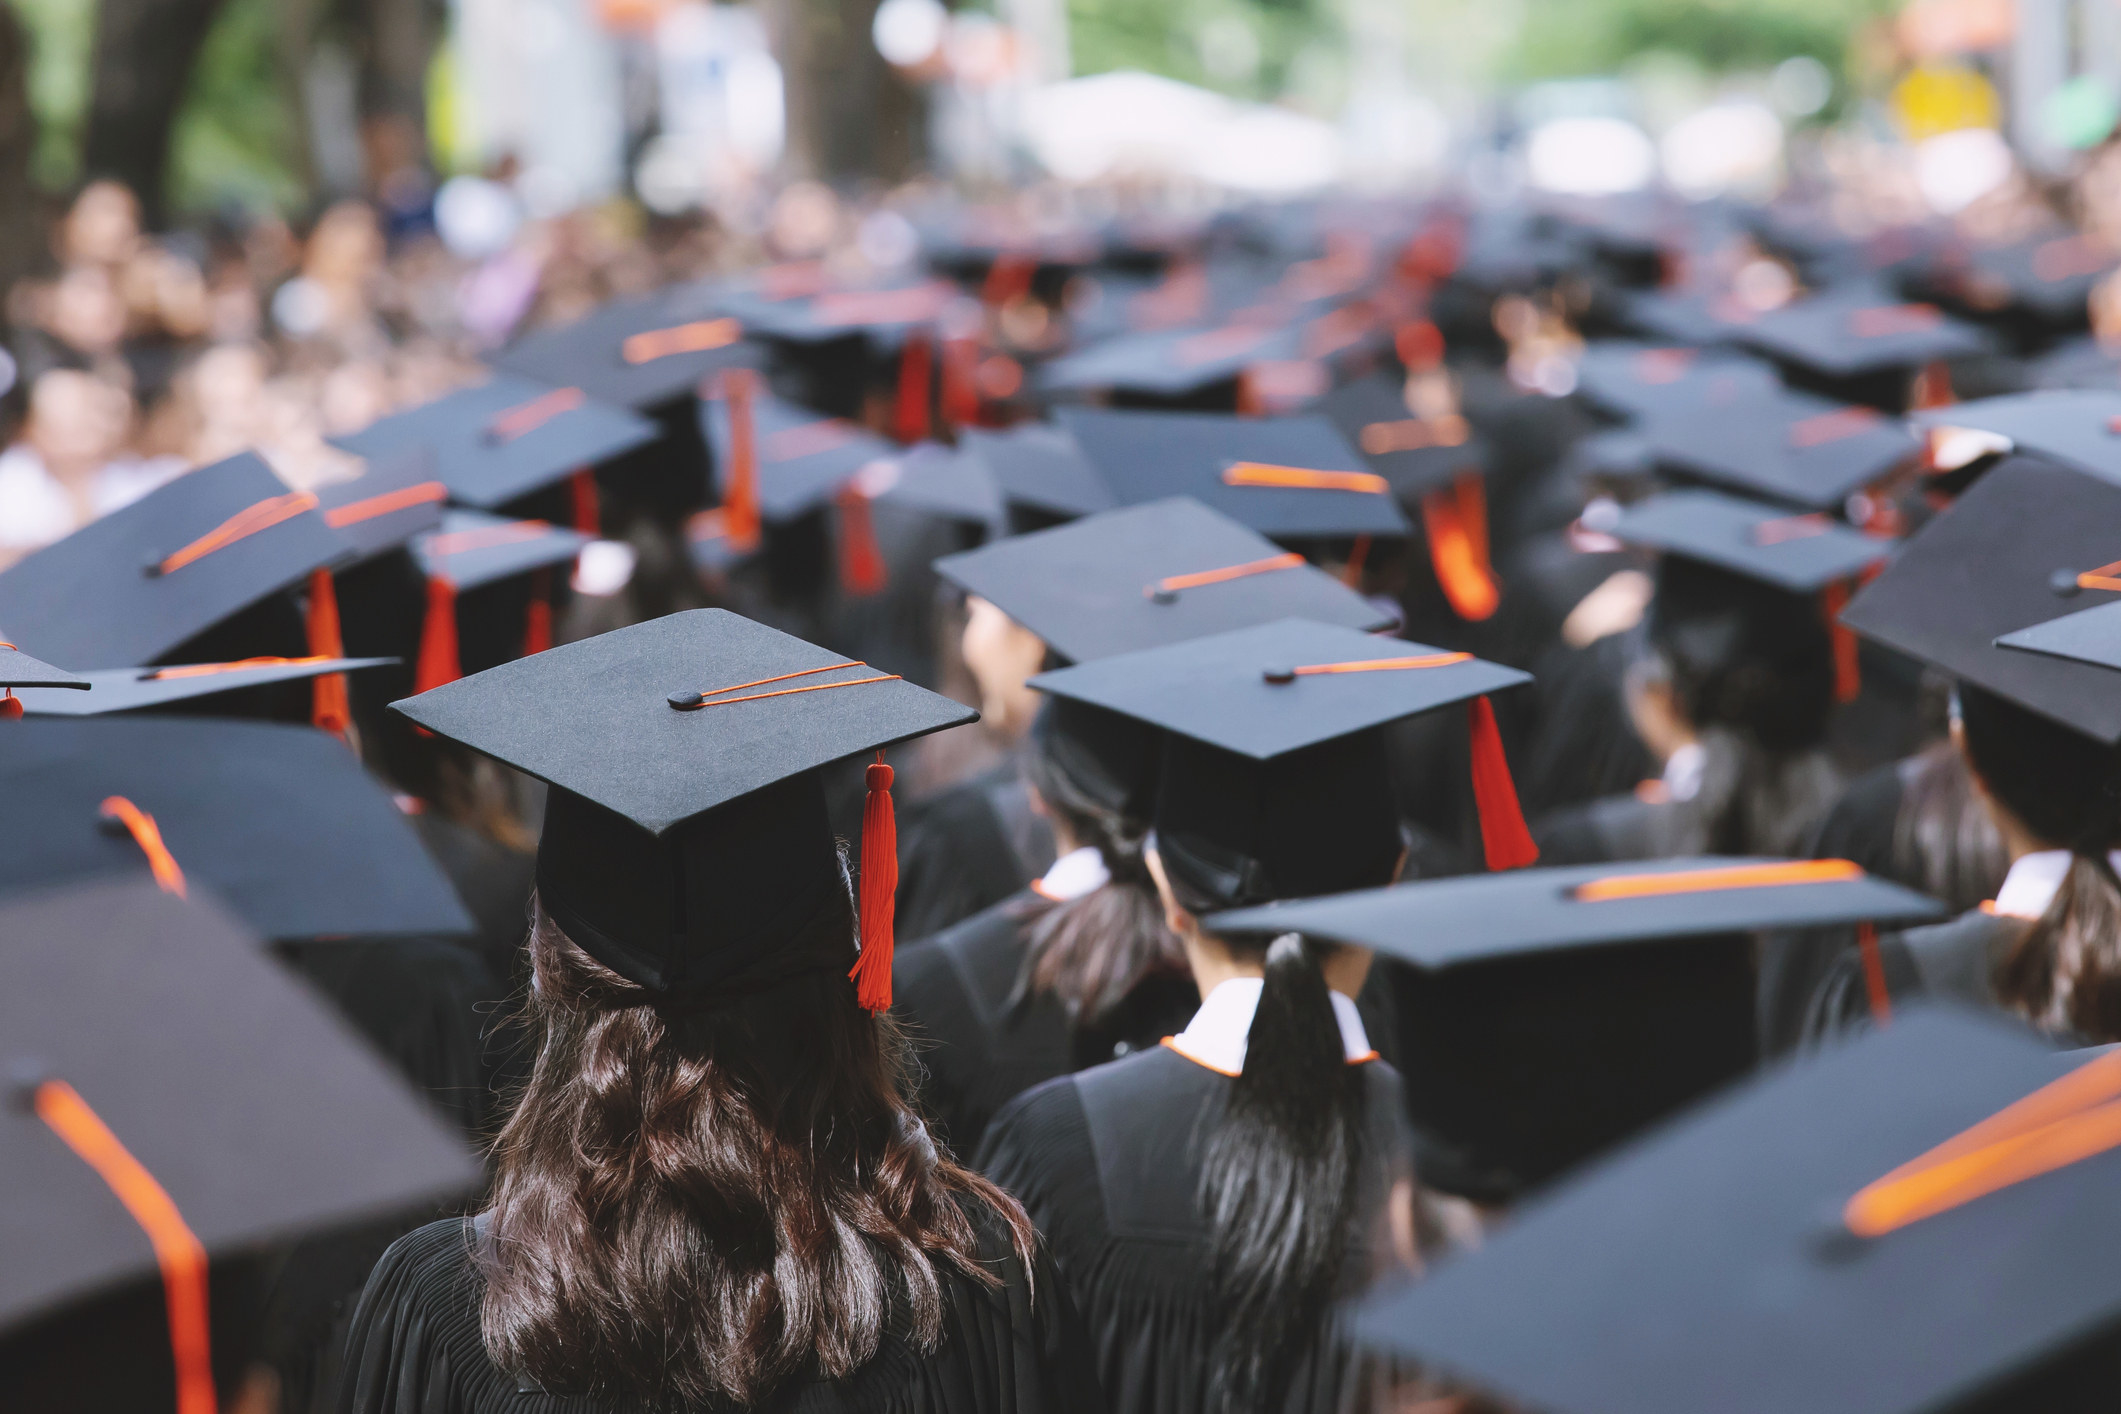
966	849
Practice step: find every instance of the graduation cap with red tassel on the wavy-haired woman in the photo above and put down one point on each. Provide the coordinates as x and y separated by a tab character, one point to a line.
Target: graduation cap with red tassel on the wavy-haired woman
686	841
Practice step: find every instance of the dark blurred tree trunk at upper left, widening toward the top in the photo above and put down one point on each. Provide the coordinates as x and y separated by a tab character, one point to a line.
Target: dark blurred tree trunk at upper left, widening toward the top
145	52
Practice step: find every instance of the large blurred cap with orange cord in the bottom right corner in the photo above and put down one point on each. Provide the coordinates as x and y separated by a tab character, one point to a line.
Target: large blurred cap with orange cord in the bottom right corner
1719	1265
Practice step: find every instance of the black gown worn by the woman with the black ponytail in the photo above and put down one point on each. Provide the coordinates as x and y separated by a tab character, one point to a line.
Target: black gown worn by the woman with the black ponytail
1110	1169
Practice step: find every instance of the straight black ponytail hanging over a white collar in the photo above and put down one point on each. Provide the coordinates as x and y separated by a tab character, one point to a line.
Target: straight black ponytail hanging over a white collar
1280	1182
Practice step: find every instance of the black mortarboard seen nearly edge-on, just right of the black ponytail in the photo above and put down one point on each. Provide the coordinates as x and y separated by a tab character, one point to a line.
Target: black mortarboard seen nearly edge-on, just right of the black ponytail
1549	1014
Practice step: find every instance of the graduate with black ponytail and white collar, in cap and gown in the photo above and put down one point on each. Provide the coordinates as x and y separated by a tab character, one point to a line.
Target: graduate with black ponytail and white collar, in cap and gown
1212	1201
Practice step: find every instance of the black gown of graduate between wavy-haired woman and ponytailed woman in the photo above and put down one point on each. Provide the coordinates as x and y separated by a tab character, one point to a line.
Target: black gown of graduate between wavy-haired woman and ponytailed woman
983	1046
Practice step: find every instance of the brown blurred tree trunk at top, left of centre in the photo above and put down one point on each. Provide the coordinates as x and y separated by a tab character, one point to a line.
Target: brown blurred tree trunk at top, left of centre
849	116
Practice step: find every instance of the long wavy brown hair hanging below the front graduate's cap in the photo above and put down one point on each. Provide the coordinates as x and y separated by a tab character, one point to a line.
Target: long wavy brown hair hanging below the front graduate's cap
699	1205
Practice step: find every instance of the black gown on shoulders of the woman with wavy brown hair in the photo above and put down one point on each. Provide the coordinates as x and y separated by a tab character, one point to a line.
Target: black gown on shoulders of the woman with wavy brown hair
1013	1349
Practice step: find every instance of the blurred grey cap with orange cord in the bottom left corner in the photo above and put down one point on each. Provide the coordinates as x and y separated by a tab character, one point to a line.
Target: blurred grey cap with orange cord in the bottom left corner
179	1103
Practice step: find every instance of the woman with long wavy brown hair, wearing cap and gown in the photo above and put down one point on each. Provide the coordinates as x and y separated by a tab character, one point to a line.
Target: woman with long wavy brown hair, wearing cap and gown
714	1192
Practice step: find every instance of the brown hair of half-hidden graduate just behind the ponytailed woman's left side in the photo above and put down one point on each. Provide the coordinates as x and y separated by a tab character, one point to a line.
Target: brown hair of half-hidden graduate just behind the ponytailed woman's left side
1095	949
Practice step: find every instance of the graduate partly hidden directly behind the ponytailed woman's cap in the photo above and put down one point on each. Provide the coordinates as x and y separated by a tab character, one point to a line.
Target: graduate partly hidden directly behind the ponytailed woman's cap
1081	968
